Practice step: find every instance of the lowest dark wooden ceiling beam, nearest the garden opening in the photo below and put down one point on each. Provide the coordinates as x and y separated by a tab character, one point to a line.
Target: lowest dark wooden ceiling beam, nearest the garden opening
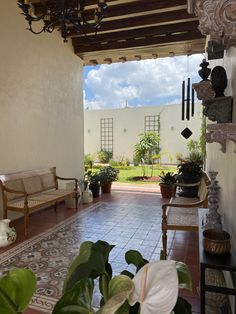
136	33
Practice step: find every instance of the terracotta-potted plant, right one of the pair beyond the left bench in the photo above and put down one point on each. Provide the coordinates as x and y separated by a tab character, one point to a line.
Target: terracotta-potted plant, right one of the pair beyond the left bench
107	175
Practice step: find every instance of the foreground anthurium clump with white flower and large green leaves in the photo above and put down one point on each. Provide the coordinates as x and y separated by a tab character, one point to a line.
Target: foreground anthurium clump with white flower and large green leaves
153	289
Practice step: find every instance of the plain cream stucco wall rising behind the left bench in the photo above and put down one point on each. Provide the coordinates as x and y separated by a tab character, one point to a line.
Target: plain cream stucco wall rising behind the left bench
41	116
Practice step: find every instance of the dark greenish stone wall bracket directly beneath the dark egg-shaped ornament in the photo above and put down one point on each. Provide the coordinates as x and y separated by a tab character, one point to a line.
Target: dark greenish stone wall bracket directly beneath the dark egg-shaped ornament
218	109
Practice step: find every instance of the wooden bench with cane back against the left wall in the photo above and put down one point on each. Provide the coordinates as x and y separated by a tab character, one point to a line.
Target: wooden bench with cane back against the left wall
26	191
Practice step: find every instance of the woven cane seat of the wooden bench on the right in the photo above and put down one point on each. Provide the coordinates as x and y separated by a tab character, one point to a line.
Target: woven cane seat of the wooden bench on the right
182	217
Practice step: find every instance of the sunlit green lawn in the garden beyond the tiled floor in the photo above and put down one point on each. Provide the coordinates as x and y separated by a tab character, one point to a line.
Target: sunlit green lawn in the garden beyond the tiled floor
125	176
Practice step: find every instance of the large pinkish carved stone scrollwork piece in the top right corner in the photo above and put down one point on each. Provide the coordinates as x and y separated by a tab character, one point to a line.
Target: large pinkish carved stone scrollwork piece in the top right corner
217	18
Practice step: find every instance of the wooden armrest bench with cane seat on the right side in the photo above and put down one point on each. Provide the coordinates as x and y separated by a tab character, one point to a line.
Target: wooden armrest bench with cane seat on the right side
181	213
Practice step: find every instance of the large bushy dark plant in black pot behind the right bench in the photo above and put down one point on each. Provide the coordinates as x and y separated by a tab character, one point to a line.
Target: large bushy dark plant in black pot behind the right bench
189	171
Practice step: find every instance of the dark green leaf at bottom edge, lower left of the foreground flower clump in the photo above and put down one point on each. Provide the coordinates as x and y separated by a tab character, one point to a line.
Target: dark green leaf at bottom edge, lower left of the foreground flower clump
78	300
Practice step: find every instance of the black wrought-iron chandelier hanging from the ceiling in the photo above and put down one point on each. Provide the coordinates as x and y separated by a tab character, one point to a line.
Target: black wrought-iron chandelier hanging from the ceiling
64	15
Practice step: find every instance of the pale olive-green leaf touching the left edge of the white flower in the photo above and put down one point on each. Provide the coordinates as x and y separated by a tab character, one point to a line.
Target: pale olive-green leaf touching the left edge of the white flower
119	289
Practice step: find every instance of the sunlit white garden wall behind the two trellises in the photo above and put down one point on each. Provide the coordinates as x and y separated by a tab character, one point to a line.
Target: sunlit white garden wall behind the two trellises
132	120
